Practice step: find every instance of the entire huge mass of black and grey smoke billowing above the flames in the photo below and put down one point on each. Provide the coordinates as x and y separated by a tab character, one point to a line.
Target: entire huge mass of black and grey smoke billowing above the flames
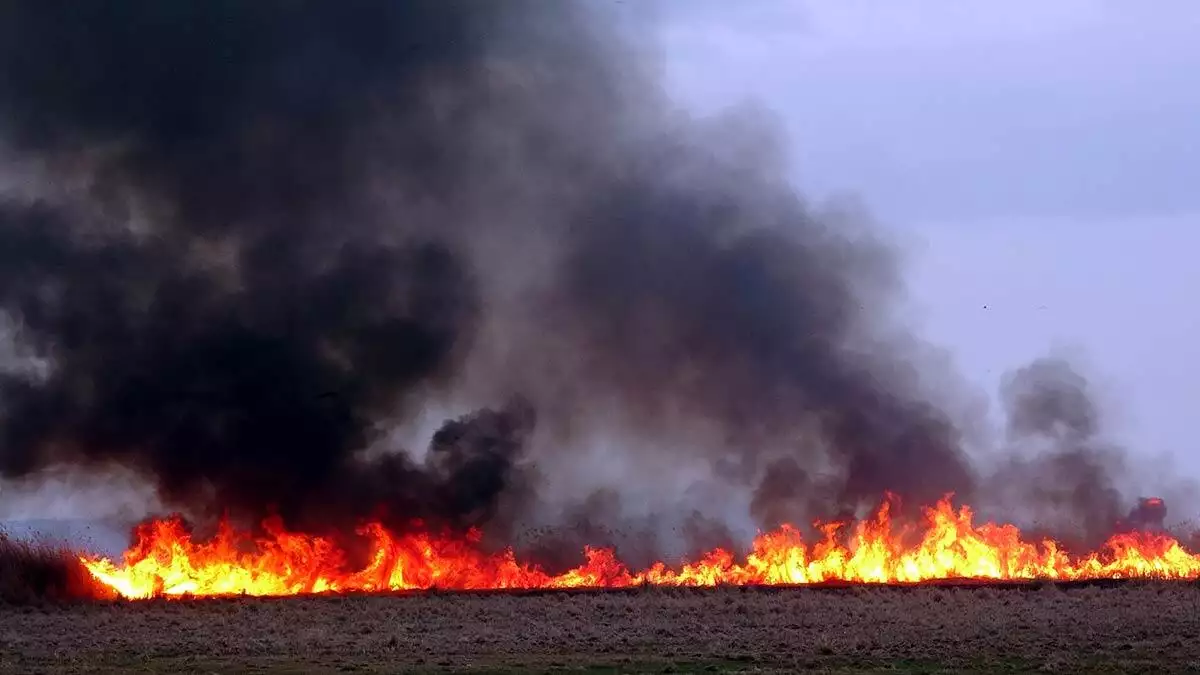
303	224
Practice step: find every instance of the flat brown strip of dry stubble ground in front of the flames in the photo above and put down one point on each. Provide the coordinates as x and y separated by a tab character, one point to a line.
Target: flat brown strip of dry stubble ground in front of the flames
1137	628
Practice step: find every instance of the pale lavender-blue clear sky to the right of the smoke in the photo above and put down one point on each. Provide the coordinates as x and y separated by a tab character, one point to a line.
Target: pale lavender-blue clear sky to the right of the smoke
1039	162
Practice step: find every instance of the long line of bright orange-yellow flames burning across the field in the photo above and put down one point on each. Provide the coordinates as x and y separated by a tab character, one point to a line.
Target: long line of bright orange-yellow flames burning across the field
167	561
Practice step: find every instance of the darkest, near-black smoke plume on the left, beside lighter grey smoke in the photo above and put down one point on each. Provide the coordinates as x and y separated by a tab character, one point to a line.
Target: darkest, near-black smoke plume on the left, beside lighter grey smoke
242	347
